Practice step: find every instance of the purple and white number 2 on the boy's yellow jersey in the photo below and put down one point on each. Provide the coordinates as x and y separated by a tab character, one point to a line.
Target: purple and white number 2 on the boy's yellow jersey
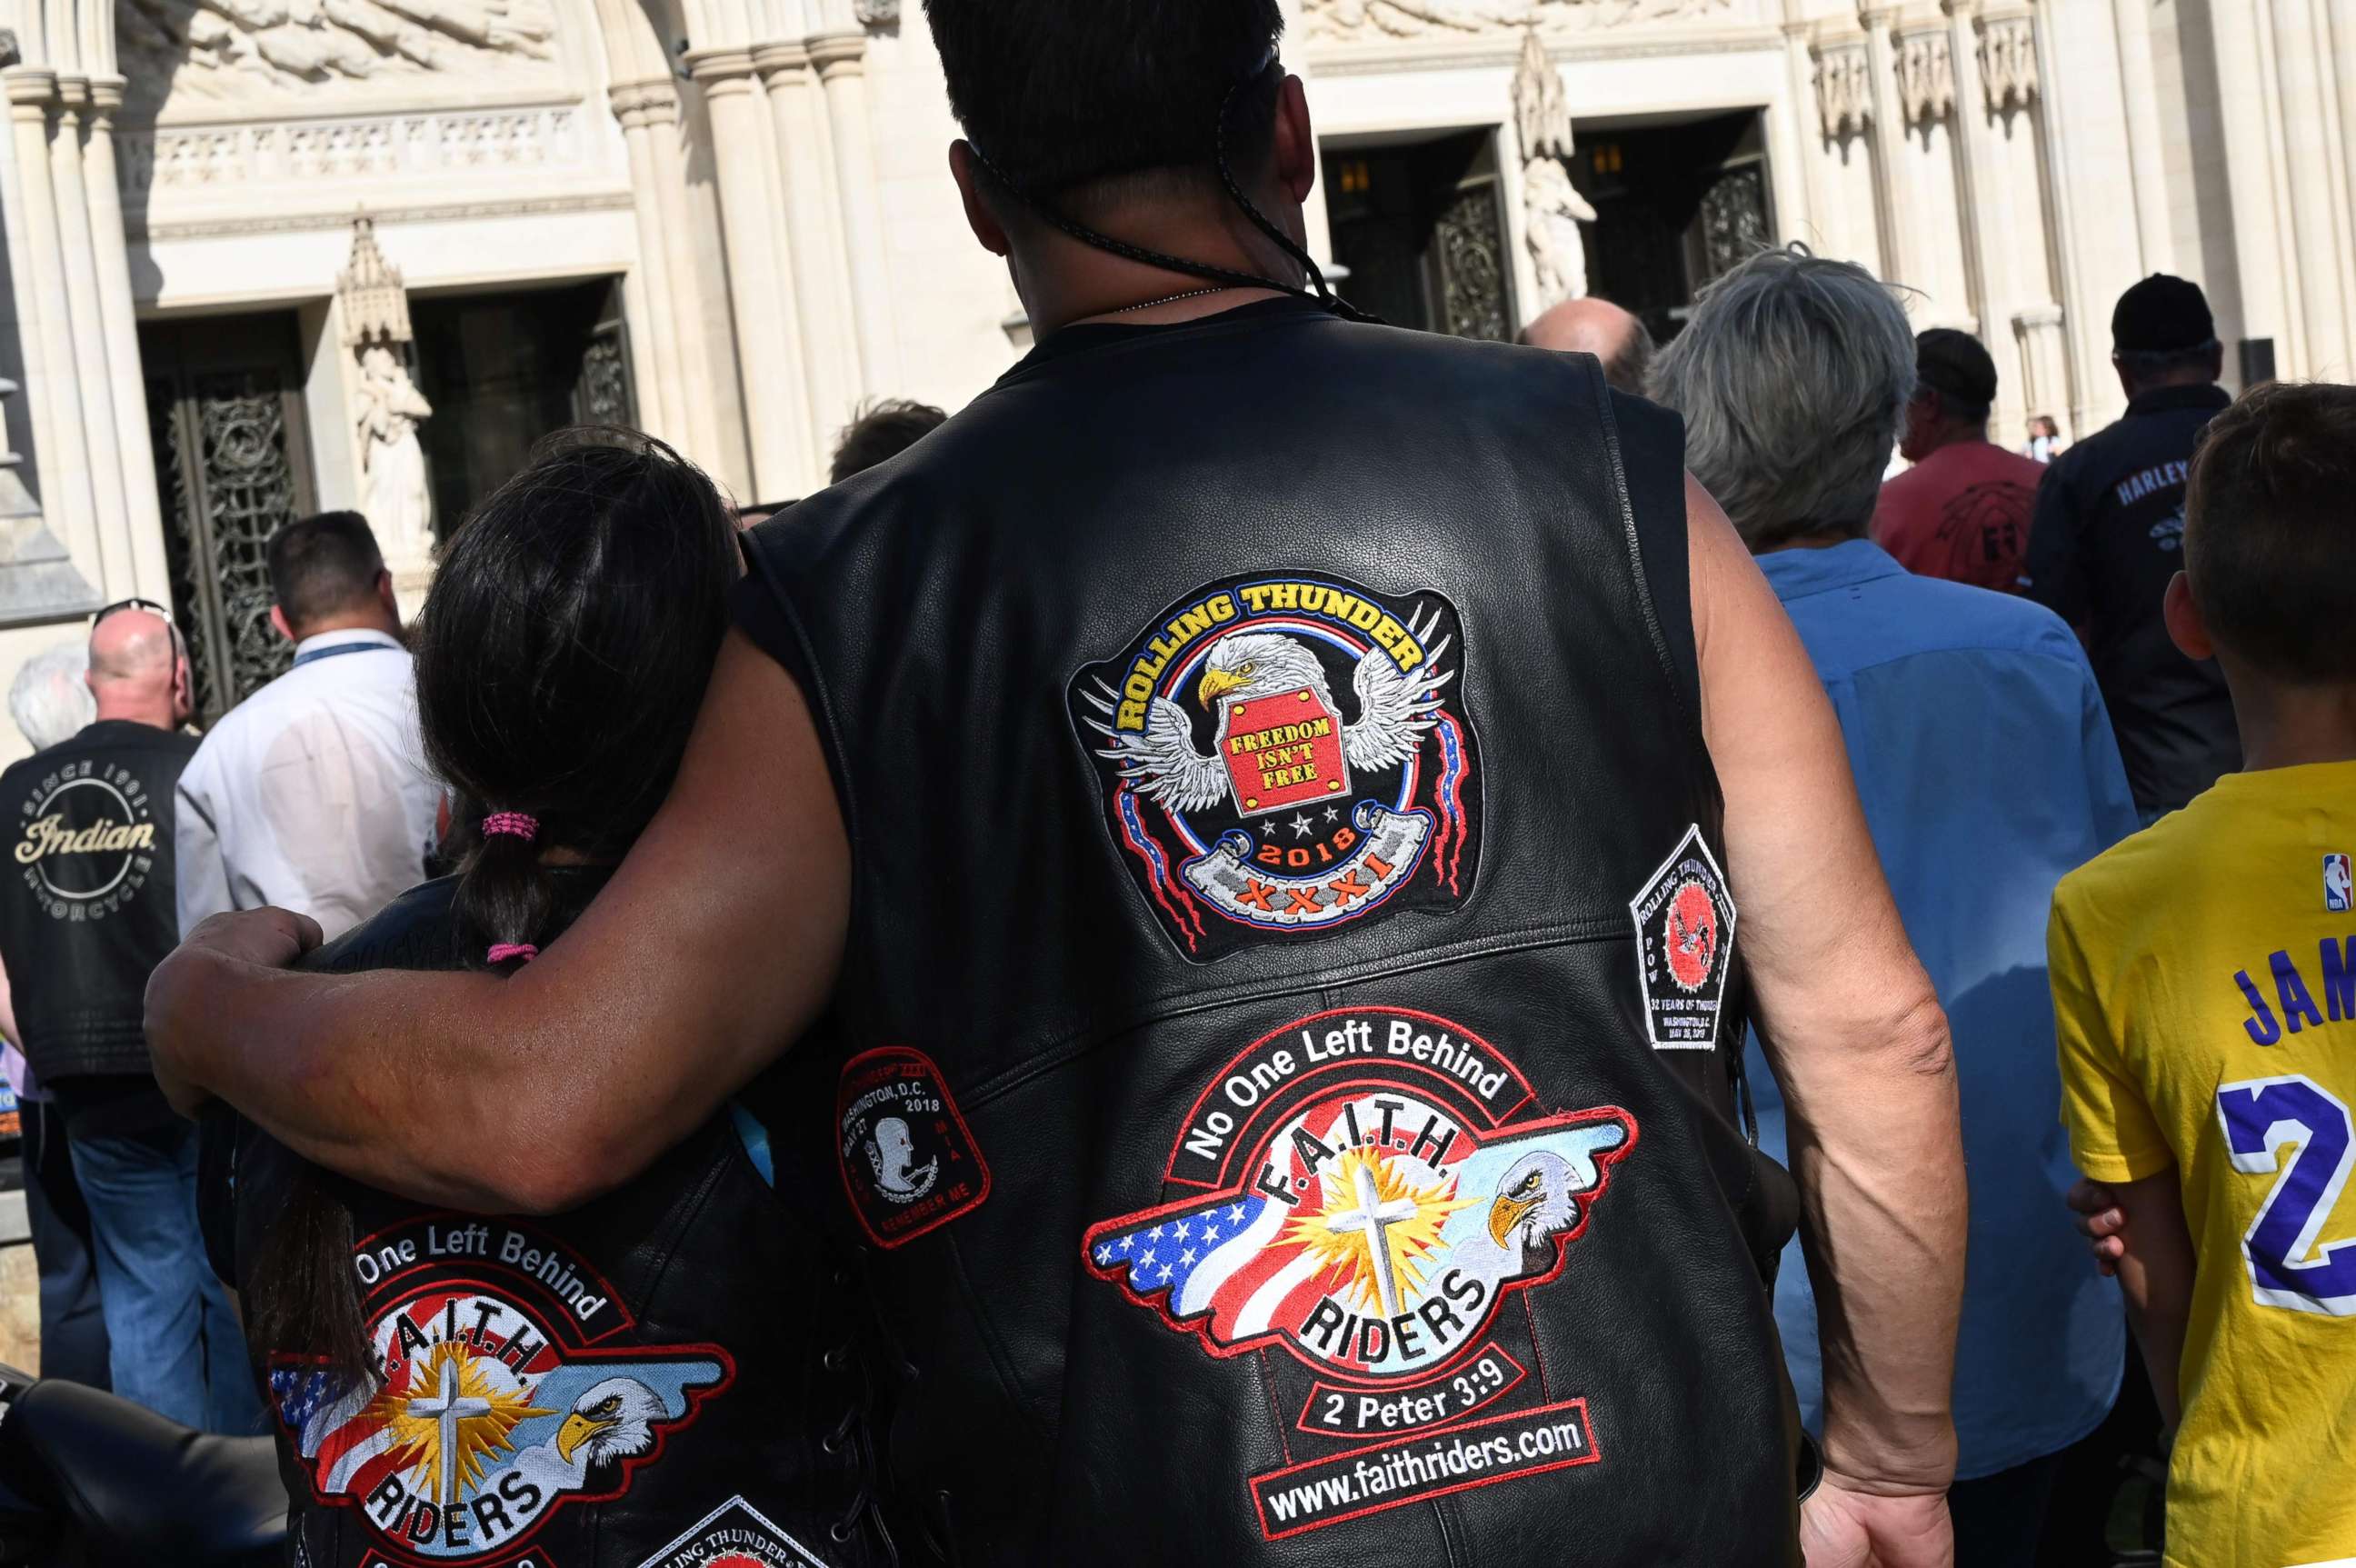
2286	1265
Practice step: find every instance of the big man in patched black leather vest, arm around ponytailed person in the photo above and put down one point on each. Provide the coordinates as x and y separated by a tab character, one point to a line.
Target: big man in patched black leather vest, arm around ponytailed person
1259	813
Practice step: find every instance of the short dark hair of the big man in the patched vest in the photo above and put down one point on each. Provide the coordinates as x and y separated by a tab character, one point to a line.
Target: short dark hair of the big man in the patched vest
1057	95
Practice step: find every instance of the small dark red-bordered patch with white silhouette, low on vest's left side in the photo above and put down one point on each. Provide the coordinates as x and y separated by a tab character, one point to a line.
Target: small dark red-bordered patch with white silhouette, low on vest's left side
908	1160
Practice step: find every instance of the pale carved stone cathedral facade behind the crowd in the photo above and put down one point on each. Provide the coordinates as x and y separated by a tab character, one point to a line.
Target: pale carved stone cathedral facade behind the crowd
282	255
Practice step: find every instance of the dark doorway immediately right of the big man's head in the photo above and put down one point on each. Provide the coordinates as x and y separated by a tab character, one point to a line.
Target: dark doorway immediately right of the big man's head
1422	227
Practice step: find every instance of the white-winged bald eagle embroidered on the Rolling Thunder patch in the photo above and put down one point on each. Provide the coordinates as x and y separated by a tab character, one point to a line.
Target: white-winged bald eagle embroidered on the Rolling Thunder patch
1394	712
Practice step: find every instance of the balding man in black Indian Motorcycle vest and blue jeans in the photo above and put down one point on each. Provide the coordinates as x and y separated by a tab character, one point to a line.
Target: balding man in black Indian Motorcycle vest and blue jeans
86	915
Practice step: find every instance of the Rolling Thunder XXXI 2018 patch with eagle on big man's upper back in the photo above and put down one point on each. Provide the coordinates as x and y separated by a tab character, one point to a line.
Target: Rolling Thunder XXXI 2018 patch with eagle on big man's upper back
1288	757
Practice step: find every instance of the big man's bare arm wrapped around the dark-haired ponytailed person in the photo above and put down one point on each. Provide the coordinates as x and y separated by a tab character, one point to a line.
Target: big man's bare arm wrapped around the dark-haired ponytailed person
713	948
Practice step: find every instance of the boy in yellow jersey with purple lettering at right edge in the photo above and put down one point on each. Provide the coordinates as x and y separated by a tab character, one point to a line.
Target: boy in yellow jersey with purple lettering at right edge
2206	999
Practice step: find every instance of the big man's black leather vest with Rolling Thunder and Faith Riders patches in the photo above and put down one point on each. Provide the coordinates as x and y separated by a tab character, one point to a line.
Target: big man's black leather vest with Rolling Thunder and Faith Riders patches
1283	1061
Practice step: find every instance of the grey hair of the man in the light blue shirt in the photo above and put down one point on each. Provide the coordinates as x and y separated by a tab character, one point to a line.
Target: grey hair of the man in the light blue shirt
1794	378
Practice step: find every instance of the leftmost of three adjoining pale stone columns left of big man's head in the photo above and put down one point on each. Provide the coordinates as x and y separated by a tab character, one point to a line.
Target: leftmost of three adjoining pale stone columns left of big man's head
767	340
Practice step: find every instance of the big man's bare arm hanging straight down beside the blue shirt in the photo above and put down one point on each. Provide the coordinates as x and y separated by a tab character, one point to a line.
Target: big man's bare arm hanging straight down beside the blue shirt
1851	1025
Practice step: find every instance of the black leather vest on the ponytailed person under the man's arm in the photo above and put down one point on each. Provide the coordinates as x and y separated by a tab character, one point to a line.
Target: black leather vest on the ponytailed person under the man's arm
656	1378
